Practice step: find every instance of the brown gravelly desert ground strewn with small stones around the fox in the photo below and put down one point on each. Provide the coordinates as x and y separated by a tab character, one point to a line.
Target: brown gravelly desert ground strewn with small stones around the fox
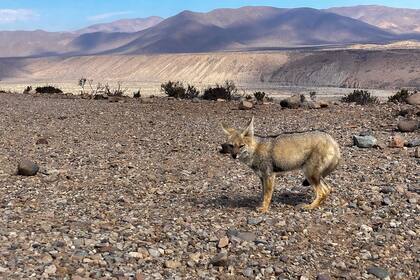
138	190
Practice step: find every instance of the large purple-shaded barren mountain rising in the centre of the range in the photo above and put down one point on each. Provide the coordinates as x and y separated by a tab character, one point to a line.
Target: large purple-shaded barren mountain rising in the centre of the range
251	27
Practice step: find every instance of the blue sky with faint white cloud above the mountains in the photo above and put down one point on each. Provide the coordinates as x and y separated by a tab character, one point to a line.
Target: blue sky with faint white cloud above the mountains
64	15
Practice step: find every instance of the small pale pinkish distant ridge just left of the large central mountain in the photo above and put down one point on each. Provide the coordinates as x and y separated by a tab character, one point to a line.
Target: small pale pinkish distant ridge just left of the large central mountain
123	25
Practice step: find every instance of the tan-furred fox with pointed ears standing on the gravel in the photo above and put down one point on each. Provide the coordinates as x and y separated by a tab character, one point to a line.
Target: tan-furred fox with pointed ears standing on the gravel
316	153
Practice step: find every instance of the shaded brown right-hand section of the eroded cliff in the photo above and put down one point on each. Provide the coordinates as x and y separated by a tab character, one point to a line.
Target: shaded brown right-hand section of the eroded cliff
352	68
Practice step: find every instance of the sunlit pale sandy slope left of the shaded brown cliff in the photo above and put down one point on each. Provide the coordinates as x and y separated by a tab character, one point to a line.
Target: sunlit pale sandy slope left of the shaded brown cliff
214	67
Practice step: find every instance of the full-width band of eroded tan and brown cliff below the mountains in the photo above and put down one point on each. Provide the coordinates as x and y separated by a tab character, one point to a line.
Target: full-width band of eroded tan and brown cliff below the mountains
335	68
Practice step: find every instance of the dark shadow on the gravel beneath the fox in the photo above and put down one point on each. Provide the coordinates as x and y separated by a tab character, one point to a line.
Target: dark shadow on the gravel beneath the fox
241	201
